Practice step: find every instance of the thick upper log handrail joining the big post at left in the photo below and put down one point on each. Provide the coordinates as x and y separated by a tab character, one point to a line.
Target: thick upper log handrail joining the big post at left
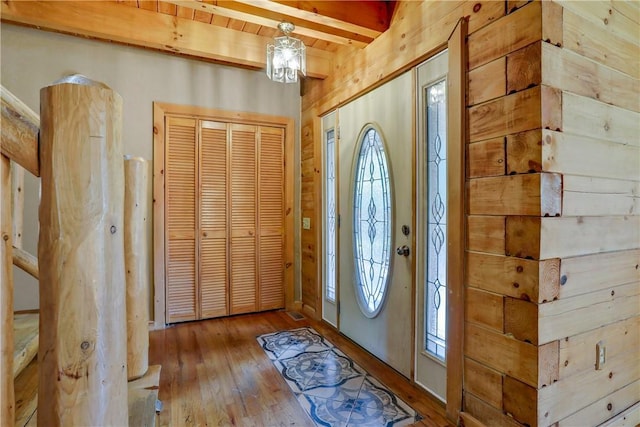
20	127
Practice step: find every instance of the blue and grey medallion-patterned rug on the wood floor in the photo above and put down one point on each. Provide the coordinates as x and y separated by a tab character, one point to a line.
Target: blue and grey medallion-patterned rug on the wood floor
331	387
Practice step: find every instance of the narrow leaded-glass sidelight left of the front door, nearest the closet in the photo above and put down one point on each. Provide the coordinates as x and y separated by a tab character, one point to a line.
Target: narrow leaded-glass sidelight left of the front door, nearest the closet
330	219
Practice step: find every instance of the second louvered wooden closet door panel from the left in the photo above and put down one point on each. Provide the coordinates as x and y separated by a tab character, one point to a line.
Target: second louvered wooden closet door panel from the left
213	219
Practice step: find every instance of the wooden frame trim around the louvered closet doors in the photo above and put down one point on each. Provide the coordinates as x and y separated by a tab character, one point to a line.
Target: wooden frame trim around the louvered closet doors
160	111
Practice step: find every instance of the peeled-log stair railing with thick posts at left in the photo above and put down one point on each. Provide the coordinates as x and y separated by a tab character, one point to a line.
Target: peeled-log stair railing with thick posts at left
87	223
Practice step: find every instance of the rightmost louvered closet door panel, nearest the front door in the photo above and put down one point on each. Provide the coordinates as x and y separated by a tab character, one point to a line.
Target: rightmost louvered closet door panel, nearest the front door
270	218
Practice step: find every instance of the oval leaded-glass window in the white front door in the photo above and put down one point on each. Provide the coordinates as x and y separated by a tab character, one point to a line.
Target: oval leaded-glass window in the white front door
371	222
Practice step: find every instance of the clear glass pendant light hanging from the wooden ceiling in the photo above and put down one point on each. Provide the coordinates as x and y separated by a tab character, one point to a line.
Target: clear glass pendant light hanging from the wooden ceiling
286	57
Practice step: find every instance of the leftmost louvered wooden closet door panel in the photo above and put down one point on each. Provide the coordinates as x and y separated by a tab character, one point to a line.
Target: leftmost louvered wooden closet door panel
181	204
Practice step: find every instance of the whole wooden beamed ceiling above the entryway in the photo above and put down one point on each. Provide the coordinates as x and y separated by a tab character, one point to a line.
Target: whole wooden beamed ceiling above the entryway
224	31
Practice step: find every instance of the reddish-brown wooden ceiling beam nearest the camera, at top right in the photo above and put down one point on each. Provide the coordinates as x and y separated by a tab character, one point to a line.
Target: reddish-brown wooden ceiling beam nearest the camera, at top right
366	17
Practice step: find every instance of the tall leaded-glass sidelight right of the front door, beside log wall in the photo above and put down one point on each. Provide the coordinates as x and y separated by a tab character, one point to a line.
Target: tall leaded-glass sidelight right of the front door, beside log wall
436	240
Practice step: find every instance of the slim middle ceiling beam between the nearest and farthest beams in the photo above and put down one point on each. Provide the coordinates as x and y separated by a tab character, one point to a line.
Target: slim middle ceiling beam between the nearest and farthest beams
267	18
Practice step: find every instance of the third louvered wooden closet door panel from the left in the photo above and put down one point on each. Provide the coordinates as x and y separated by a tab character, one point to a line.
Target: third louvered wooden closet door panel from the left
243	176
